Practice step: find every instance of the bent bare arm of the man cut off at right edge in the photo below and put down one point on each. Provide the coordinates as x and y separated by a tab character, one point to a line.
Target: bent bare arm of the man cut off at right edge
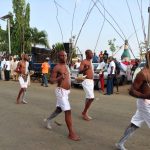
136	86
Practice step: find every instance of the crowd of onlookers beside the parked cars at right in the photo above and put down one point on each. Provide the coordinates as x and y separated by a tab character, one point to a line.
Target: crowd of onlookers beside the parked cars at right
117	72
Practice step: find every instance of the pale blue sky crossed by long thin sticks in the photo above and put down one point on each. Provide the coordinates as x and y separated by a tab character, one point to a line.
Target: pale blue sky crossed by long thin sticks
58	21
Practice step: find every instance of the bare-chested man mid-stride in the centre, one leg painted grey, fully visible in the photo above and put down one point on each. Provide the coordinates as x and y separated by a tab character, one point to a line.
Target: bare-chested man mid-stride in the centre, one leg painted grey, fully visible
61	76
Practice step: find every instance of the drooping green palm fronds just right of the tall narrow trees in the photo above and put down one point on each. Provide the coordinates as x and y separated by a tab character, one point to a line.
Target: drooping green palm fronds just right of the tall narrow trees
39	37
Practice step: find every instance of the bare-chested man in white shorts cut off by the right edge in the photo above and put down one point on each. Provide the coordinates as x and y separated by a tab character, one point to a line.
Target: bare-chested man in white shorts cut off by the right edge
141	90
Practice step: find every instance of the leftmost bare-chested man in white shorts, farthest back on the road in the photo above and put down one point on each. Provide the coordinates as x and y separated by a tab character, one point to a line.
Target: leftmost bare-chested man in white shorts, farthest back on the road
22	70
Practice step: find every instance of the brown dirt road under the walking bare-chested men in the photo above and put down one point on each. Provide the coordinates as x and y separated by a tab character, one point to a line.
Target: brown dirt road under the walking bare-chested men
22	127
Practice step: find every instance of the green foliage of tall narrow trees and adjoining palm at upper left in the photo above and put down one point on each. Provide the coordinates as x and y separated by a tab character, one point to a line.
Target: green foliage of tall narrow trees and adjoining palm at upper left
22	36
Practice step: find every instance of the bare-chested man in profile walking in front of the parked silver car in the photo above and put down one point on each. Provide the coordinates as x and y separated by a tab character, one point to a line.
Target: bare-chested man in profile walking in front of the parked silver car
86	68
